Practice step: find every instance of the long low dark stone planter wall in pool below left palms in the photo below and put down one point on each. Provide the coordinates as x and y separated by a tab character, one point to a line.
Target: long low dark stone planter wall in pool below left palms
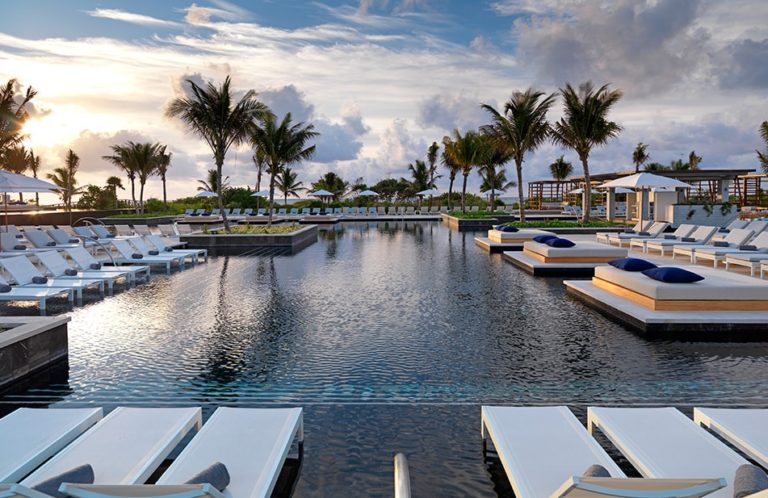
233	244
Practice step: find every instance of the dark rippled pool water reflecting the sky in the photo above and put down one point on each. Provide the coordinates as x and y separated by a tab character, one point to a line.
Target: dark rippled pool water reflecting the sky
391	336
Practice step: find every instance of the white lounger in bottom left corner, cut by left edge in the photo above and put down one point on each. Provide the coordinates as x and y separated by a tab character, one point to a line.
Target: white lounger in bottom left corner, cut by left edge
36	434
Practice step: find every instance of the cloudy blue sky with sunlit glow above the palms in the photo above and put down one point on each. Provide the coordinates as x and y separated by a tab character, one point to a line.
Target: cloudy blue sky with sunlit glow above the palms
383	79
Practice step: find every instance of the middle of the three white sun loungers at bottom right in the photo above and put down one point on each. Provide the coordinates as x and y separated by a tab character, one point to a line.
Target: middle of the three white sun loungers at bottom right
664	443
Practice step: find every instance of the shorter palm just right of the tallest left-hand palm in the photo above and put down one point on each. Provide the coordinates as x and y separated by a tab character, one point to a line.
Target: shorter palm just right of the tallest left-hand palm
283	144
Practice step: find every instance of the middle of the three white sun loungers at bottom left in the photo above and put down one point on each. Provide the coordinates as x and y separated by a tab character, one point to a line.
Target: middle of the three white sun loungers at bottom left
125	447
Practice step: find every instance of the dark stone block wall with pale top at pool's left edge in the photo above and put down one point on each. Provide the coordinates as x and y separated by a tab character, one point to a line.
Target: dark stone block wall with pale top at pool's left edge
29	344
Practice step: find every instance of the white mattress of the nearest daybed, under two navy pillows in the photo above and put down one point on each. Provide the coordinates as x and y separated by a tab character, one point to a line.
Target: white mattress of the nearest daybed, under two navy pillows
716	286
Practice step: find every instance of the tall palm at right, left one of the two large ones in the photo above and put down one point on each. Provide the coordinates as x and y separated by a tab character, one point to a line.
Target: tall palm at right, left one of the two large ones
523	128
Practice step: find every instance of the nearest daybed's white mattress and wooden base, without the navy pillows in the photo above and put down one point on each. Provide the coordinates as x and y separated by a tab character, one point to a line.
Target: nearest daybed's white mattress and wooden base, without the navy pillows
719	291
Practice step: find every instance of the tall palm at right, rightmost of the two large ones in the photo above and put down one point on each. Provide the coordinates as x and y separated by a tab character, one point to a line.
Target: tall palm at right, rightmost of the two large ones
585	125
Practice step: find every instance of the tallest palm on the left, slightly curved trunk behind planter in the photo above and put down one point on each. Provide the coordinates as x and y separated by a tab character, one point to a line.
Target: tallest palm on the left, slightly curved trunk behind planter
212	115
